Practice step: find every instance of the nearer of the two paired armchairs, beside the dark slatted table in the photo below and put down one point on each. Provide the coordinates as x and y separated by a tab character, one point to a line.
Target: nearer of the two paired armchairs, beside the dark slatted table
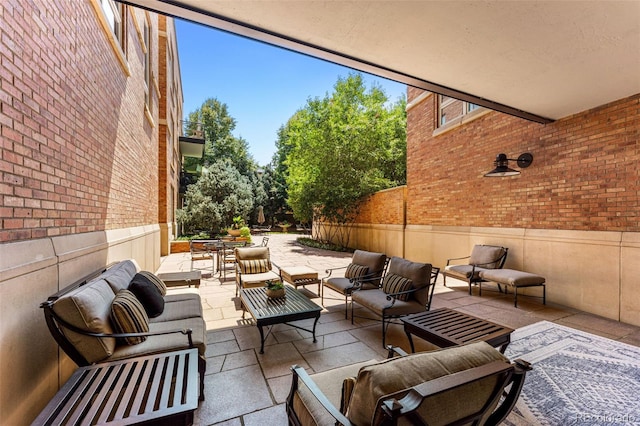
407	288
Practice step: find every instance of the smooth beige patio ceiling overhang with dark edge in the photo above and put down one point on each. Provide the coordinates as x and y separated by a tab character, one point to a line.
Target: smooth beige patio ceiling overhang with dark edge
537	60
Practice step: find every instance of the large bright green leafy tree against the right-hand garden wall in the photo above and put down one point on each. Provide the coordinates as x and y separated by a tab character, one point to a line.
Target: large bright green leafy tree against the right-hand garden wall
339	149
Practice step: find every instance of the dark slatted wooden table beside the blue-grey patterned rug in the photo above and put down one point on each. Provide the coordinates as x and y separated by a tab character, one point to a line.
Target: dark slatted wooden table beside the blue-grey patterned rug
447	327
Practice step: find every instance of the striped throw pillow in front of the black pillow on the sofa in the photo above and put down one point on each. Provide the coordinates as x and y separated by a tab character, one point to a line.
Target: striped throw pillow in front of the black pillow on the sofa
128	316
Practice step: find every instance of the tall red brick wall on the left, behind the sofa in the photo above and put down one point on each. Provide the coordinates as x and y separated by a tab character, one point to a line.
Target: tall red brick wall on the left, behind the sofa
78	154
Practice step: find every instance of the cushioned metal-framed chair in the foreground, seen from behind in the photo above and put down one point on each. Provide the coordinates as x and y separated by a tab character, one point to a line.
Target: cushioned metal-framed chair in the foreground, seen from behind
458	385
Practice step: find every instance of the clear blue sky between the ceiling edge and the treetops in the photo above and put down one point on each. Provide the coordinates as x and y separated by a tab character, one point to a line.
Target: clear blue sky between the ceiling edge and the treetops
262	85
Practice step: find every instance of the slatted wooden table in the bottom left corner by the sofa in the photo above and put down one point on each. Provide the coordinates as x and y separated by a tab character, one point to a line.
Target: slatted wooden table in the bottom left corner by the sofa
153	389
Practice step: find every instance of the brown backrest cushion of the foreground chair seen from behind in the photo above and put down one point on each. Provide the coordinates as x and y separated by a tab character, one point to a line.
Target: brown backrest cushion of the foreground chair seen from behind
396	374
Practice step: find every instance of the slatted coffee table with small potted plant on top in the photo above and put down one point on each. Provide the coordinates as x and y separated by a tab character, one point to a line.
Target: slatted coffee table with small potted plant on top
294	306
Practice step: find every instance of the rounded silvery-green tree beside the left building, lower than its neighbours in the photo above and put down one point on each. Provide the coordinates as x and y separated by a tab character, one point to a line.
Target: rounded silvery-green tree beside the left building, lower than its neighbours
220	194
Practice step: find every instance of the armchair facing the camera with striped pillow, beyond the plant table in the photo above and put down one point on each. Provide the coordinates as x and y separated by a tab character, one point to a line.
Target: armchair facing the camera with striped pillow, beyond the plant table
253	267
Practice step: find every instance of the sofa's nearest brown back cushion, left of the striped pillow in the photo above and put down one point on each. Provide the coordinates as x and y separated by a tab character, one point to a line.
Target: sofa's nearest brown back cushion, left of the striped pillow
88	307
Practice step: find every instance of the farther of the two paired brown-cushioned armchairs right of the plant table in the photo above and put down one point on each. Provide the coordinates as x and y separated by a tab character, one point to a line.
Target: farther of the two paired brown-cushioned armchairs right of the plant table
367	267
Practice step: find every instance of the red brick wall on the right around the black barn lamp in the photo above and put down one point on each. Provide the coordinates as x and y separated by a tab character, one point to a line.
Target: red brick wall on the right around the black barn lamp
584	175
